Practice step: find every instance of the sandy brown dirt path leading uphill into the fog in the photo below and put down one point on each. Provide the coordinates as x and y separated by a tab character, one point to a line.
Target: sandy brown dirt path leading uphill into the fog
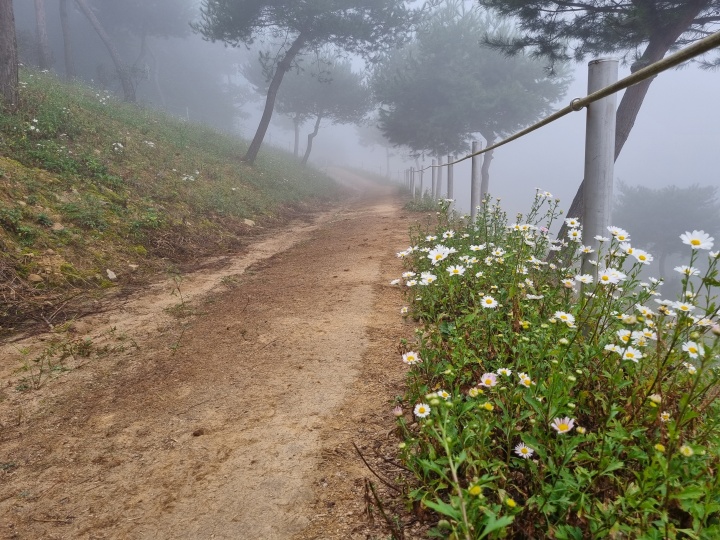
233	413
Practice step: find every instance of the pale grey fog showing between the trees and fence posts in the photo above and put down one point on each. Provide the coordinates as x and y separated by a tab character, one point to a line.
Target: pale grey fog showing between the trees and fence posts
676	139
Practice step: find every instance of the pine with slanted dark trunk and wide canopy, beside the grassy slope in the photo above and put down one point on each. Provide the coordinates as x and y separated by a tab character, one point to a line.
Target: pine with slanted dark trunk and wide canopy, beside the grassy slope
365	27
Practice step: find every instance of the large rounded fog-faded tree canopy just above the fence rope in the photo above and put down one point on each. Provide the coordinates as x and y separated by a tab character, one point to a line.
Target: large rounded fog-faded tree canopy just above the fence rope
443	88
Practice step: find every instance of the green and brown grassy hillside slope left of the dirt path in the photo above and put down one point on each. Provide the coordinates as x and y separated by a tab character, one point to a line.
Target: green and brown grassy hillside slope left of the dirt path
89	184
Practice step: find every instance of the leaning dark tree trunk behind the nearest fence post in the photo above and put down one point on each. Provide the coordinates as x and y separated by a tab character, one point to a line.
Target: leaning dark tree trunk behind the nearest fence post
658	46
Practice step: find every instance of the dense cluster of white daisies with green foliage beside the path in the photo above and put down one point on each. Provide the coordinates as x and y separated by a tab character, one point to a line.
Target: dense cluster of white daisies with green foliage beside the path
551	402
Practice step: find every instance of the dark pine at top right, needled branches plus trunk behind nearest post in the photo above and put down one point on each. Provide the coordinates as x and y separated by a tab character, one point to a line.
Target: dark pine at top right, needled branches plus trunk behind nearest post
638	31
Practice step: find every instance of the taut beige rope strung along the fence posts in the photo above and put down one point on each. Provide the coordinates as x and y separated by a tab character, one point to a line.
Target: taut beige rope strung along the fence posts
696	49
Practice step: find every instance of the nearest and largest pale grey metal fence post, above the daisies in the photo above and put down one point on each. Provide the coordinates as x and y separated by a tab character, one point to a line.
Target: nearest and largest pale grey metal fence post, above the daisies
599	157
